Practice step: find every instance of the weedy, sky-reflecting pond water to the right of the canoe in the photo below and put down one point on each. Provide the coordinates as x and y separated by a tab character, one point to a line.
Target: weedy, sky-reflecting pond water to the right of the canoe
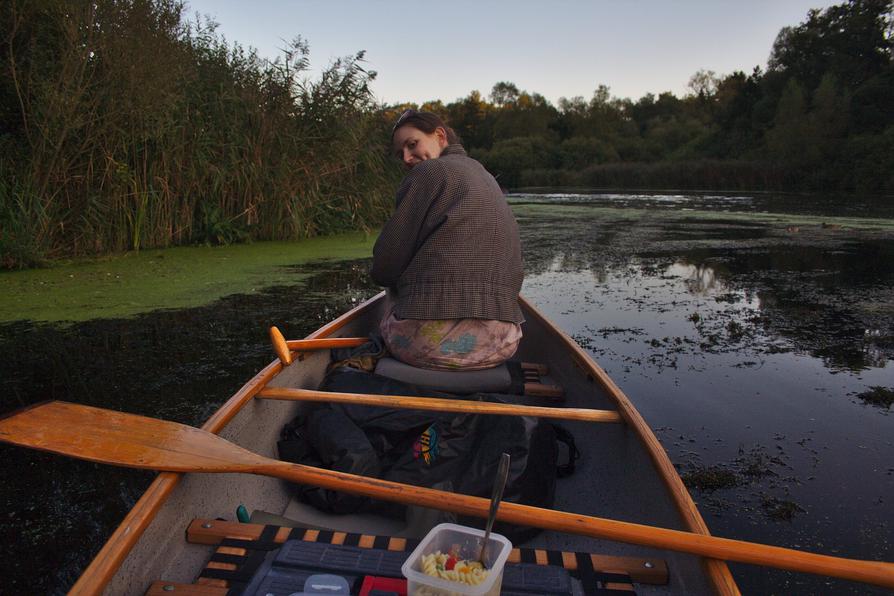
746	347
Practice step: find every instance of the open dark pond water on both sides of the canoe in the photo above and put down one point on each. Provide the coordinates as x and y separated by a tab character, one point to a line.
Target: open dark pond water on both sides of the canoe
746	329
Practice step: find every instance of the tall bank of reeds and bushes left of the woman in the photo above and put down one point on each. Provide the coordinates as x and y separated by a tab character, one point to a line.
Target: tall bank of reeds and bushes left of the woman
126	126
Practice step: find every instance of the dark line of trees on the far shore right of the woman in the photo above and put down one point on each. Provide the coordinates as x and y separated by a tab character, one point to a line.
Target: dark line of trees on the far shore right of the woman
819	117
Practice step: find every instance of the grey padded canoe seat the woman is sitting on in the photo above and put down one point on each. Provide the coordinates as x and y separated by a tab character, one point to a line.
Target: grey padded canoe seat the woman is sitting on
510	377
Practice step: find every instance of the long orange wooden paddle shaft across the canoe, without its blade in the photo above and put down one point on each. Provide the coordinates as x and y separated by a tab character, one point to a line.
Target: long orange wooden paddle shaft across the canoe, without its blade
873	572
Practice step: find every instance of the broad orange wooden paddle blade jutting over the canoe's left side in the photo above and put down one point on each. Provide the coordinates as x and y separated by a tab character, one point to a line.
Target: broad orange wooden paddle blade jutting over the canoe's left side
121	439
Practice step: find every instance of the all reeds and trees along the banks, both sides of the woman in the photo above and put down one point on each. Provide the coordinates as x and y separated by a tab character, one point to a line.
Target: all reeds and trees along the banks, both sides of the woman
127	126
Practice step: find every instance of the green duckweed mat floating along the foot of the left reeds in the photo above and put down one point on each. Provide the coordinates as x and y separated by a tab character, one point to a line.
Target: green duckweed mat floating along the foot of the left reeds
134	283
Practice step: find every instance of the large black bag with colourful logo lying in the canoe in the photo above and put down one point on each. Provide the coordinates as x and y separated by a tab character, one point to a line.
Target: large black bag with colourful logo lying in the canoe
448	451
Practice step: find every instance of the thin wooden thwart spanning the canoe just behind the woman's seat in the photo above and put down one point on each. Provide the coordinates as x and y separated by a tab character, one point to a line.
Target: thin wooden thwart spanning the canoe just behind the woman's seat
435	404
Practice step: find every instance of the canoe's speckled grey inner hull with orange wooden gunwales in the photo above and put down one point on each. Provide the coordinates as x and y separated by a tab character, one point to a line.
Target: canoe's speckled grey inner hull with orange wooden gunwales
625	474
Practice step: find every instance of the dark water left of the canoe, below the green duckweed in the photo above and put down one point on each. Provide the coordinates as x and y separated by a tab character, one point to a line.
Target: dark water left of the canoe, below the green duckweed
55	513
